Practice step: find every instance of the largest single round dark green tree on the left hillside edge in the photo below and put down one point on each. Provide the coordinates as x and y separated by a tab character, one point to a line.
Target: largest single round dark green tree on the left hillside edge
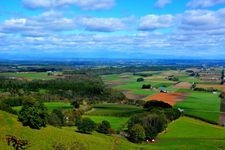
33	113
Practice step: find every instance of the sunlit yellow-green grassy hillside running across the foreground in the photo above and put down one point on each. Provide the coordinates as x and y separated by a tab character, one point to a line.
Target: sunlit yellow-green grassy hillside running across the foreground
185	133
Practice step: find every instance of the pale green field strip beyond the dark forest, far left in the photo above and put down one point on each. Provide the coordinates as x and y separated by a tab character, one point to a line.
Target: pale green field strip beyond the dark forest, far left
31	75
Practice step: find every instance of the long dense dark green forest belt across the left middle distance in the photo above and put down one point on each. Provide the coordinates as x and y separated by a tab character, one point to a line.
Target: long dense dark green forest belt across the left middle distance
72	87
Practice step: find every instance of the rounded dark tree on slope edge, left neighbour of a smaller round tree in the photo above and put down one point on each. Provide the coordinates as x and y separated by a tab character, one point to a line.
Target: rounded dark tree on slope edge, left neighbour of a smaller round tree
86	125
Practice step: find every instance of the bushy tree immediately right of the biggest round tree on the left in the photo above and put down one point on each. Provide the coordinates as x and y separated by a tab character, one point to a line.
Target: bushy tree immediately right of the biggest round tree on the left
56	118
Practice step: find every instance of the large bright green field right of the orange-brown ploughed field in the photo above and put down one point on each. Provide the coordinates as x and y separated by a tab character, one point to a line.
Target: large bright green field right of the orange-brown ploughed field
203	105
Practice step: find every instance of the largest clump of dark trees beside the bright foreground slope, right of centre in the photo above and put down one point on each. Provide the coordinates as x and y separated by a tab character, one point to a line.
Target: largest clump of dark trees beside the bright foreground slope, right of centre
148	125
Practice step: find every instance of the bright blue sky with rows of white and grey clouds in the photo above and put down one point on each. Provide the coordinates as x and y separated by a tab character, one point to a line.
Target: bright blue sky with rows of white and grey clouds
112	29
